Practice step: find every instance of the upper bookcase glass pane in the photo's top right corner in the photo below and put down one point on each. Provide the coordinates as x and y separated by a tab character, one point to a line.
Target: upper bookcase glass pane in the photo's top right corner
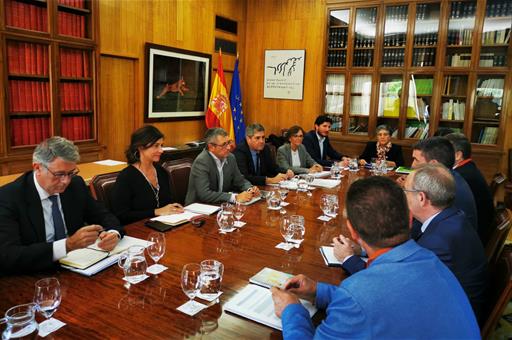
496	33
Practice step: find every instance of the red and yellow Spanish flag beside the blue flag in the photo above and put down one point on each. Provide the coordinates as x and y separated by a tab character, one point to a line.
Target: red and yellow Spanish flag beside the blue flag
219	111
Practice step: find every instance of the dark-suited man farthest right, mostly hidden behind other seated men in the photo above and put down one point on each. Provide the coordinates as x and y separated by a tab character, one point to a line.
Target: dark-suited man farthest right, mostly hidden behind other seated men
465	167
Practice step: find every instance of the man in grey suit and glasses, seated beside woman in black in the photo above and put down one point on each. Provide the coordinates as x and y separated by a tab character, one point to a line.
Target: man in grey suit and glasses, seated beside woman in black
215	177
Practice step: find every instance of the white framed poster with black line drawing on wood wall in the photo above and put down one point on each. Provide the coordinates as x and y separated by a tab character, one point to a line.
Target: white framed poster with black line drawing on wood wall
284	74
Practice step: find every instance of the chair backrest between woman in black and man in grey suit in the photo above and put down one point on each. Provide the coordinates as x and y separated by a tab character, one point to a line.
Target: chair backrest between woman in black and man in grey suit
179	173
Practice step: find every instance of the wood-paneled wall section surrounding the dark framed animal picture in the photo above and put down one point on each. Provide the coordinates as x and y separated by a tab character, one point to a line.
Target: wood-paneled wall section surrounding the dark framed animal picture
125	27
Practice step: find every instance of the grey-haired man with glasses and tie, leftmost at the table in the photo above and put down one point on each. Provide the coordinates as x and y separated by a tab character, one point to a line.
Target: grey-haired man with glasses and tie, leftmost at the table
48	212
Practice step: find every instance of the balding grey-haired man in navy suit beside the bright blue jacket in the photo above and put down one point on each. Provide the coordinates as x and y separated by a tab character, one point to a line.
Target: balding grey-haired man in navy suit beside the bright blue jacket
443	229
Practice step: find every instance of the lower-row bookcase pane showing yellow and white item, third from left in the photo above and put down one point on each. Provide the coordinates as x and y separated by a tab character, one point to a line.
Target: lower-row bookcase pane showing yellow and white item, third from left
390	91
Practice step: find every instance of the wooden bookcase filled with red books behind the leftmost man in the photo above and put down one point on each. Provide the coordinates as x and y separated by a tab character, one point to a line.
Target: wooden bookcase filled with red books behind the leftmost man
49	74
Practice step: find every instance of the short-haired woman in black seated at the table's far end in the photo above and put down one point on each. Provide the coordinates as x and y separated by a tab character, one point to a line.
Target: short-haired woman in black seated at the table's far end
383	149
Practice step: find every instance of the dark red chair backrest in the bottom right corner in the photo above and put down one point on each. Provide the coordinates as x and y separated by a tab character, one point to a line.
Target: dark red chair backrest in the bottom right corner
500	293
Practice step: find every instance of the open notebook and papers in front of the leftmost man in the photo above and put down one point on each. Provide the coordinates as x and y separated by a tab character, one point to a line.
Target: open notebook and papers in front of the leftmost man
91	260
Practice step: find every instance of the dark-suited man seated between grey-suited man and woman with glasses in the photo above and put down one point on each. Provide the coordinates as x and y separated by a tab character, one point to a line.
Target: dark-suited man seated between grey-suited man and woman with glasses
254	158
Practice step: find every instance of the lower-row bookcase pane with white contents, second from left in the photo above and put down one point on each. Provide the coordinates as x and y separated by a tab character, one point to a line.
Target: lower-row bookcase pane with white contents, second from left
360	95
